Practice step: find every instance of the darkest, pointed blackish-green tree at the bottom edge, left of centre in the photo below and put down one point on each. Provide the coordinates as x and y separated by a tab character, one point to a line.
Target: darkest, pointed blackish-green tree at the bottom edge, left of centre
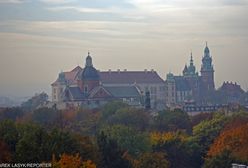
112	155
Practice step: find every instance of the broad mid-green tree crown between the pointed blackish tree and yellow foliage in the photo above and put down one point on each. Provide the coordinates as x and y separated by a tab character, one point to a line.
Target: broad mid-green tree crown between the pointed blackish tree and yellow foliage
129	139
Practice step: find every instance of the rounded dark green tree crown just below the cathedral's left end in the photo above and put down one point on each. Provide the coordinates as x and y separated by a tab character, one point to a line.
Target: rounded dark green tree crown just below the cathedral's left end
172	121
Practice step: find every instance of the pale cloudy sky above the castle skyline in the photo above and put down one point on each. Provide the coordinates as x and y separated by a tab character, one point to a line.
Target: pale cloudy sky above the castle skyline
40	38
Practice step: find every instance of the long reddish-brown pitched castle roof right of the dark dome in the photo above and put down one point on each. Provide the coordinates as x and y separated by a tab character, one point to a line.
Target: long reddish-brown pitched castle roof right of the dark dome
130	77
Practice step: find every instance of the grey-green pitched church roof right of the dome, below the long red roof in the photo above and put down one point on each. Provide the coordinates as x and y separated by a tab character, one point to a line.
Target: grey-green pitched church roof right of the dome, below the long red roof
123	91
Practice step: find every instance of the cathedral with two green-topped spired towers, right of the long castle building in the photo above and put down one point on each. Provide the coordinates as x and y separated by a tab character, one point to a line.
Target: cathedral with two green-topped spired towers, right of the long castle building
190	87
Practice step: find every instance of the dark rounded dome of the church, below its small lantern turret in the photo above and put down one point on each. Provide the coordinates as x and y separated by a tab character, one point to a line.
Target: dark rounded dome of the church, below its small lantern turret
89	73
